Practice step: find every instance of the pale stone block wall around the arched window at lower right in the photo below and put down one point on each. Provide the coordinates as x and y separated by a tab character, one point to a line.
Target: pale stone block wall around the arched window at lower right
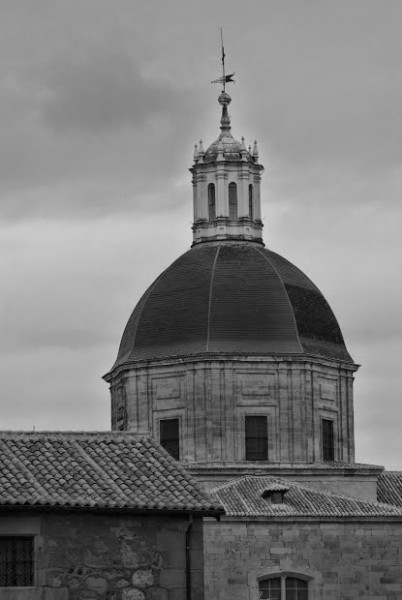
341	560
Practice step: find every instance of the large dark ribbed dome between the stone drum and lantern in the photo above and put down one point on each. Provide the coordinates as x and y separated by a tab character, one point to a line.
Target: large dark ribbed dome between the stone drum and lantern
231	297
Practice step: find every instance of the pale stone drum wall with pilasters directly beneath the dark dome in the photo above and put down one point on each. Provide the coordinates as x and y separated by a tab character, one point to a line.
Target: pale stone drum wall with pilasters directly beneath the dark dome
212	397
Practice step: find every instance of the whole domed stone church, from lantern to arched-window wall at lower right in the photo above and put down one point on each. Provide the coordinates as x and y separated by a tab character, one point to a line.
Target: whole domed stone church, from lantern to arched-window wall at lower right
234	361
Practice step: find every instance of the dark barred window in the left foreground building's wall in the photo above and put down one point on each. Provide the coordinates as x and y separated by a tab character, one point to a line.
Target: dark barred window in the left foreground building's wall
16	561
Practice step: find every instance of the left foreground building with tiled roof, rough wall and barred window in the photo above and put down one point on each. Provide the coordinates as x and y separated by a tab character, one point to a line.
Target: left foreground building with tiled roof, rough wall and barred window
98	516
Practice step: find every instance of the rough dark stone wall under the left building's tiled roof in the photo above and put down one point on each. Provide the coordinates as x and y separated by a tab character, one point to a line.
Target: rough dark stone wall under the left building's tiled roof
99	557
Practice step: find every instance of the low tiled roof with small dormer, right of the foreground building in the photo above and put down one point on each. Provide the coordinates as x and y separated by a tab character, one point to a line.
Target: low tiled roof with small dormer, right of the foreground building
243	498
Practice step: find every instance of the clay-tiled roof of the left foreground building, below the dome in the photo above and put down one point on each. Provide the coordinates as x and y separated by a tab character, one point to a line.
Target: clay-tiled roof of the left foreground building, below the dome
108	471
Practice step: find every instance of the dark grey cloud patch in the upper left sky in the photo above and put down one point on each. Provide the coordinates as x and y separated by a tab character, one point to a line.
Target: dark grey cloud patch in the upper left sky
102	92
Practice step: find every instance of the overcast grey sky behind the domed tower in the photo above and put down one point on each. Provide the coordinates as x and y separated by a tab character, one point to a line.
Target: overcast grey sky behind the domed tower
101	103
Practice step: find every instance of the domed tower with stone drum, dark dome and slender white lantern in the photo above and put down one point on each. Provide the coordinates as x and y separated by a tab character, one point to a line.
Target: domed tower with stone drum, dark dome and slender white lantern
232	358
